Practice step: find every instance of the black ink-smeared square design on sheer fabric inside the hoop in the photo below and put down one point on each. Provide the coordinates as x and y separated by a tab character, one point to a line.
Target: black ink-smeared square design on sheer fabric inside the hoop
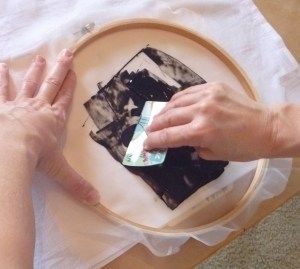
116	108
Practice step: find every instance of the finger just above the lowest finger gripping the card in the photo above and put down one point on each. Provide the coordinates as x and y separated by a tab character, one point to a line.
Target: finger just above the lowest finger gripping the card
174	117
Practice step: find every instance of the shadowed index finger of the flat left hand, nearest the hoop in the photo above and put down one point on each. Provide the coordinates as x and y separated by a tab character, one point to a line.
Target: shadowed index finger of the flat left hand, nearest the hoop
64	97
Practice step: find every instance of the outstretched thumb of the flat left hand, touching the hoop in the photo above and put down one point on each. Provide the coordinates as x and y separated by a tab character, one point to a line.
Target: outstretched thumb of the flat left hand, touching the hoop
59	169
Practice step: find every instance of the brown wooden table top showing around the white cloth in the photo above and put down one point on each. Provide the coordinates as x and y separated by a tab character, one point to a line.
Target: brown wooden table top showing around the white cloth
284	16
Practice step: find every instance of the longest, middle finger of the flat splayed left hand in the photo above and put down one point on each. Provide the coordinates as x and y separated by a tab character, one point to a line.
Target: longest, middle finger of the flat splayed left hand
54	80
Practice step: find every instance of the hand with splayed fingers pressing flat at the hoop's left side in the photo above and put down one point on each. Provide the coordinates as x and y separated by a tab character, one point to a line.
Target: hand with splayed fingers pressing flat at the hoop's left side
35	120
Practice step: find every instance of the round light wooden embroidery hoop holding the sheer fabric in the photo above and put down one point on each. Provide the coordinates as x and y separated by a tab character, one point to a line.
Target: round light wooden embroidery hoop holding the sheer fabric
239	74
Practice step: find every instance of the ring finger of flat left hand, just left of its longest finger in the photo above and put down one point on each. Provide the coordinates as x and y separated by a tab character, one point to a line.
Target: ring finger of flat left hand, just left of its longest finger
32	78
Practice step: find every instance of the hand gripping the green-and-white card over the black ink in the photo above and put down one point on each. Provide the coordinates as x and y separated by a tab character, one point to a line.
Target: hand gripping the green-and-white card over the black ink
220	123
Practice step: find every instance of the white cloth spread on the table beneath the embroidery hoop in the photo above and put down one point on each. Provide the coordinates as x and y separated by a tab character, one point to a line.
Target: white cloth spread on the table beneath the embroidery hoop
40	26
